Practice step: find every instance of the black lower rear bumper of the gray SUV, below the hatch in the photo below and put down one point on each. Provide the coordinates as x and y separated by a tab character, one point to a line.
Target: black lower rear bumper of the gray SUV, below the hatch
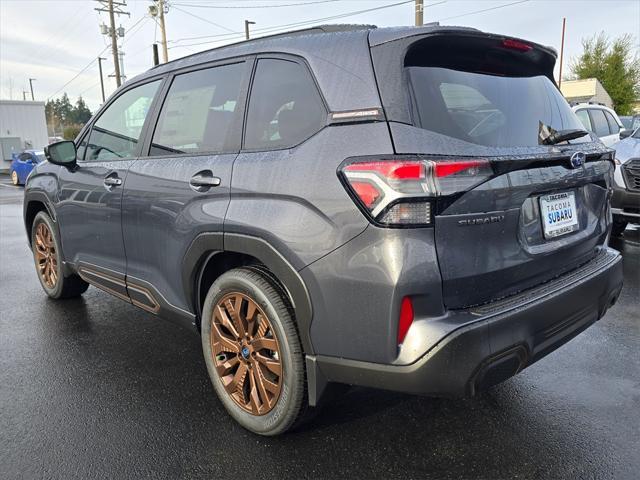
494	341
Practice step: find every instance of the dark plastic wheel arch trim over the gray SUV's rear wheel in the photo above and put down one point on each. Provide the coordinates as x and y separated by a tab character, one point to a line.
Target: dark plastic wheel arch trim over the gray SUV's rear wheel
239	250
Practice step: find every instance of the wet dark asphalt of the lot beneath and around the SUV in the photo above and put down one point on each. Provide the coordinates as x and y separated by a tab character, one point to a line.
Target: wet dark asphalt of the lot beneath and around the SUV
96	388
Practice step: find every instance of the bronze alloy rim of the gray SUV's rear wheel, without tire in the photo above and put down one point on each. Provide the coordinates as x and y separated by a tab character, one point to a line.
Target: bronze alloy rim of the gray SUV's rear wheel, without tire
246	353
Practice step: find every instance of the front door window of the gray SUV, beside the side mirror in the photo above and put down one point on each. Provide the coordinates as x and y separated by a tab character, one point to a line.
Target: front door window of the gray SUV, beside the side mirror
117	131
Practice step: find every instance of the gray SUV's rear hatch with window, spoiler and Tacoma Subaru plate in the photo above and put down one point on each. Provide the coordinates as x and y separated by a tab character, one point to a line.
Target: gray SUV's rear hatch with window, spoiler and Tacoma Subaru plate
543	209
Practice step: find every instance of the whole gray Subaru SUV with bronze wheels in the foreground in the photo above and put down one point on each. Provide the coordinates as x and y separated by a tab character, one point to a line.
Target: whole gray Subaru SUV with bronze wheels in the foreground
412	209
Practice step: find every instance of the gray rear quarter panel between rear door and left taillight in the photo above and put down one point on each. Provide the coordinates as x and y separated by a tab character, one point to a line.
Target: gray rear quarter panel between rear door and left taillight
293	198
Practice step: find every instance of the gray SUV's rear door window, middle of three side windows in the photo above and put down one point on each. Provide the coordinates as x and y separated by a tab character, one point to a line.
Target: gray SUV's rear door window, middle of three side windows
199	111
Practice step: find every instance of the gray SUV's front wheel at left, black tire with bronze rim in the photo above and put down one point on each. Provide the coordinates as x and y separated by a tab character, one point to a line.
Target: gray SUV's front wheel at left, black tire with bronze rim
47	256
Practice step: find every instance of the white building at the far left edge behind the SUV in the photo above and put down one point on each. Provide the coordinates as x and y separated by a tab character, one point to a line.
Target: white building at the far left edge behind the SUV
22	125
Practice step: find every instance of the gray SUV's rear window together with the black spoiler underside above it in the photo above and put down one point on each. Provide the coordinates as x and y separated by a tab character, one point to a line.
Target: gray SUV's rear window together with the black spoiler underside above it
486	90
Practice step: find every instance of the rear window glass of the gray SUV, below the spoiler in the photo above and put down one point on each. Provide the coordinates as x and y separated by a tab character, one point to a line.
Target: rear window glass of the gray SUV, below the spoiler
486	109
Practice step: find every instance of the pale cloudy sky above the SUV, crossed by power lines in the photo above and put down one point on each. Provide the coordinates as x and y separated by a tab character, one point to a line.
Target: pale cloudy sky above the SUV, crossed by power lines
53	40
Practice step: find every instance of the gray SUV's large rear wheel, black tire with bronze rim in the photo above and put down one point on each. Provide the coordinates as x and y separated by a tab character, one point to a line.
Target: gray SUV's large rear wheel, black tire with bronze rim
237	375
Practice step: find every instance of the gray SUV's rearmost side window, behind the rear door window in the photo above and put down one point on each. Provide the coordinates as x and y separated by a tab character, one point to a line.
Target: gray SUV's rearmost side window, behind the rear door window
285	107
